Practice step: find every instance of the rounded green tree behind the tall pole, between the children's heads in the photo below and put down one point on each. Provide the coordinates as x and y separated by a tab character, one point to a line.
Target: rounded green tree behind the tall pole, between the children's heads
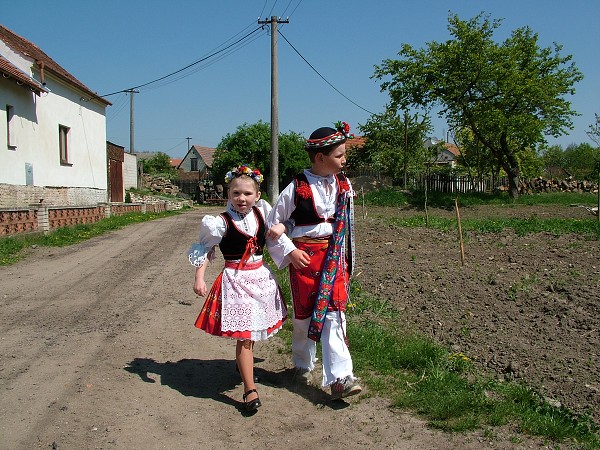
251	144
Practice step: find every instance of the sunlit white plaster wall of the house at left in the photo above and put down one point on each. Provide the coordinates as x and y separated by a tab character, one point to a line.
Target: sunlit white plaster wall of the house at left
34	131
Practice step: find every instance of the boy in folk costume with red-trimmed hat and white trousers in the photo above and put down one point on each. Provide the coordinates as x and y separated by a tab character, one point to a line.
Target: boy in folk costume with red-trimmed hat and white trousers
316	208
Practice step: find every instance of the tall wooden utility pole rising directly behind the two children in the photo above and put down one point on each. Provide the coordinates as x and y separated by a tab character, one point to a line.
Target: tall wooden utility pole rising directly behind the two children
274	181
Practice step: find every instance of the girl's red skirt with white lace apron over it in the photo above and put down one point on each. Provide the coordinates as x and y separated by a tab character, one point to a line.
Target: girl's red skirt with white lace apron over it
243	304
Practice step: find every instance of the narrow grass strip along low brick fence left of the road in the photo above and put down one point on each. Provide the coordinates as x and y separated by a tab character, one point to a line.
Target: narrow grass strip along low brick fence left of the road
13	248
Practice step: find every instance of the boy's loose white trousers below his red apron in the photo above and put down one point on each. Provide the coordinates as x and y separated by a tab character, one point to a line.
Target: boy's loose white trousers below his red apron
337	362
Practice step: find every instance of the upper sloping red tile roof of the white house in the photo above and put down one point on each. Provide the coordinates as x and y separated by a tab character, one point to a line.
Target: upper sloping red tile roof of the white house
30	50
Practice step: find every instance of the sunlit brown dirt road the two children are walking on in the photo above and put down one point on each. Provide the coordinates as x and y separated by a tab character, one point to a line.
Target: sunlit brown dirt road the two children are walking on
98	350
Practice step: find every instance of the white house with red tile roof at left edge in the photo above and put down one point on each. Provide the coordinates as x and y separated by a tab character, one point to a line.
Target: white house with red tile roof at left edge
52	131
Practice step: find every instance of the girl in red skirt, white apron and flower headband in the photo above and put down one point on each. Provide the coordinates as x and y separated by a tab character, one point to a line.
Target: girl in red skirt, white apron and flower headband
245	302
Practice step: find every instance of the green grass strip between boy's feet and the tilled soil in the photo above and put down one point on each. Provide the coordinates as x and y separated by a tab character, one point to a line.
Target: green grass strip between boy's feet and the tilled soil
443	387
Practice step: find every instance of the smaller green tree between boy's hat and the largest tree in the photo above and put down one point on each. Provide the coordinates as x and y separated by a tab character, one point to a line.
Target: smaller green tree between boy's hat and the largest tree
393	145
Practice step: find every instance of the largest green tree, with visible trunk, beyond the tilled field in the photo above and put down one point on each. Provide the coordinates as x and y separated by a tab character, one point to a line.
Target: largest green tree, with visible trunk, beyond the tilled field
510	95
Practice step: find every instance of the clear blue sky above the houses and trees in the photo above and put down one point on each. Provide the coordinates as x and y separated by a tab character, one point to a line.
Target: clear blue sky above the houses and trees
113	45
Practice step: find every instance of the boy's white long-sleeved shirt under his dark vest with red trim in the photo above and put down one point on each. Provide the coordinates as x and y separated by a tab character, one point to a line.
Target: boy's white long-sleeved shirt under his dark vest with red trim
284	206
